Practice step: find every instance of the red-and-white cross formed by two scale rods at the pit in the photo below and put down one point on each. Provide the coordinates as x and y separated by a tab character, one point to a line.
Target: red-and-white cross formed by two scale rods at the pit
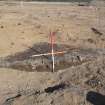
52	40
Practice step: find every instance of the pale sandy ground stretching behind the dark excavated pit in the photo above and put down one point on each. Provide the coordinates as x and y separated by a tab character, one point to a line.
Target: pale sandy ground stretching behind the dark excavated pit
21	26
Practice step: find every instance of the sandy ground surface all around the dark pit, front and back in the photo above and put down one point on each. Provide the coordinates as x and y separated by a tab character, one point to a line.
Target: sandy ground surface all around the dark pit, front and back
22	25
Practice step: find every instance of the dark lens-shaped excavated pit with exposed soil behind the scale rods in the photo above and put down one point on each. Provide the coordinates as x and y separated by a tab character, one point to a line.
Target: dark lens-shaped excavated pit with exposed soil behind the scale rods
73	57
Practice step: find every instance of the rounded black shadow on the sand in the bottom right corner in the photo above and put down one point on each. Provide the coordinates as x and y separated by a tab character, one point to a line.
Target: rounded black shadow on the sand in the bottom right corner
95	98
